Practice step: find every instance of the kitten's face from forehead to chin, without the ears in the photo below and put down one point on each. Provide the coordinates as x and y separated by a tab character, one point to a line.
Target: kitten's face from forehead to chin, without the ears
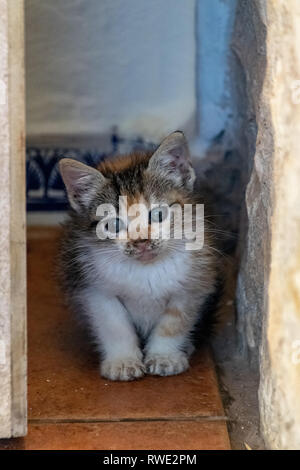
141	229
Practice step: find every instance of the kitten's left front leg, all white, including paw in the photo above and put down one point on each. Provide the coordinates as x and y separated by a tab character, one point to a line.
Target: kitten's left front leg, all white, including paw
115	336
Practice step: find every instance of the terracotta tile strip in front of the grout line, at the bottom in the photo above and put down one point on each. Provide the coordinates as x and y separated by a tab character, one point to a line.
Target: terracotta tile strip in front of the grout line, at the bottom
120	436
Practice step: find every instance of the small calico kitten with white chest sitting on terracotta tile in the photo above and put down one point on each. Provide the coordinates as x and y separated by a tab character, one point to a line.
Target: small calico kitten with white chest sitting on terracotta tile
142	297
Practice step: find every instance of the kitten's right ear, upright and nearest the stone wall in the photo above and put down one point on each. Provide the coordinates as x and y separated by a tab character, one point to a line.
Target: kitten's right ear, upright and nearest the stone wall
172	160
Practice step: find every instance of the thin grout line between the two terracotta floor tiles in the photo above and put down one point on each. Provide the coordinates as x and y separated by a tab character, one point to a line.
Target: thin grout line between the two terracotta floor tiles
126	420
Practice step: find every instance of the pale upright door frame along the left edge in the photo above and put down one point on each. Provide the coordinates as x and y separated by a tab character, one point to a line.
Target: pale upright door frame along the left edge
13	347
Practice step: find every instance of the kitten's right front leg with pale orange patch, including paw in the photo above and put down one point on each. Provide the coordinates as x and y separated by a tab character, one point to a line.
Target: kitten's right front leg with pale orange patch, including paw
168	347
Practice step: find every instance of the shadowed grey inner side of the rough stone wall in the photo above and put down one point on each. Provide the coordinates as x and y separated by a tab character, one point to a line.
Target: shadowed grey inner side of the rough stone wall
249	44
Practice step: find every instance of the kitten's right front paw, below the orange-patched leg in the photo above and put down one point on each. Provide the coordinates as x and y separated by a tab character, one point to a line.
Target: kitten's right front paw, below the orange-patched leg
171	364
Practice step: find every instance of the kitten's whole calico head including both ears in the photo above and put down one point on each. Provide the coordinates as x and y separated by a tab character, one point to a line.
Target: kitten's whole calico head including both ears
135	195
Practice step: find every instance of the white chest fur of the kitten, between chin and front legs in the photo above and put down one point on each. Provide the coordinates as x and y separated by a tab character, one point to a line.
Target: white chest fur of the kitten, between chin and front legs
144	289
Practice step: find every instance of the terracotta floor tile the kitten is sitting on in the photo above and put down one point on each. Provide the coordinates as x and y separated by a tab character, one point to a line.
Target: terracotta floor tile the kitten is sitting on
64	382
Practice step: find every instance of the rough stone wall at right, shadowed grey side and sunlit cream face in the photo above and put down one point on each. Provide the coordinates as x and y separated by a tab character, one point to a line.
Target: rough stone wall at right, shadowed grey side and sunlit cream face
267	45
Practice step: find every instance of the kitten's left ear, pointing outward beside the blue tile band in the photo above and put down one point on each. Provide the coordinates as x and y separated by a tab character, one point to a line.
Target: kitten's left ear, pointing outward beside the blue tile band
82	182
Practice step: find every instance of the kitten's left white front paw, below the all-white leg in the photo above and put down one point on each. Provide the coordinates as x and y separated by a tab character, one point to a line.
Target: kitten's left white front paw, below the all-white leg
122	369
